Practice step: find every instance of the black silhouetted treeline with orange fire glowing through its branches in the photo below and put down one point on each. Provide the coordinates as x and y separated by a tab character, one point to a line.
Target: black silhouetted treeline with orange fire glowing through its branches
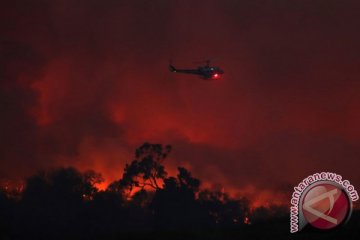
65	204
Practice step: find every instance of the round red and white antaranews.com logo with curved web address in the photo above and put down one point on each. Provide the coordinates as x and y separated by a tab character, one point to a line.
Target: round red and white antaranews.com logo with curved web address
323	201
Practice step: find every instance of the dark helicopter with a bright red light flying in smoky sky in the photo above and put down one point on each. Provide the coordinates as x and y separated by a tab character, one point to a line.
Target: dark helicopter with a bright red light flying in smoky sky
207	72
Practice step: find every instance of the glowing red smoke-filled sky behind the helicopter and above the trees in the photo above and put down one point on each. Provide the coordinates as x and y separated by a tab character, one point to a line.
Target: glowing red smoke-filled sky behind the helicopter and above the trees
83	83
